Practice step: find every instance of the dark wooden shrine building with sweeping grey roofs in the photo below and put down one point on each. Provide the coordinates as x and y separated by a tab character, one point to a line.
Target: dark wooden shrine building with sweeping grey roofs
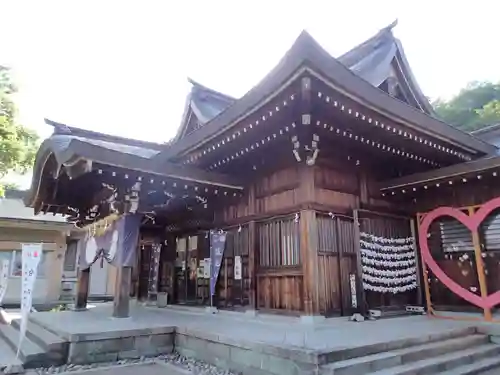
316	176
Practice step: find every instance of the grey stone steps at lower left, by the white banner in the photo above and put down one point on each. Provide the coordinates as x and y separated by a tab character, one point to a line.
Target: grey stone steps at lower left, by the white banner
39	347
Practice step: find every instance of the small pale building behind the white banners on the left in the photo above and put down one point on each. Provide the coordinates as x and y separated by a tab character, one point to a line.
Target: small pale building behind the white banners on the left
57	271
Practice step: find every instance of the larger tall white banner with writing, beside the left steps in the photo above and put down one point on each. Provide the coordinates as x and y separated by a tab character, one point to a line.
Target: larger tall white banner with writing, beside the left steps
31	254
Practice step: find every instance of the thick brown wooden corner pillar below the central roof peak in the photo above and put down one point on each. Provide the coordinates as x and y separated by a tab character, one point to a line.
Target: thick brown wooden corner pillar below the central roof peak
309	258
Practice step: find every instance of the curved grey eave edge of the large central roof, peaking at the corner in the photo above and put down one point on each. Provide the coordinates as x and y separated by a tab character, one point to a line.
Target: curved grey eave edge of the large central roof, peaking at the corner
307	54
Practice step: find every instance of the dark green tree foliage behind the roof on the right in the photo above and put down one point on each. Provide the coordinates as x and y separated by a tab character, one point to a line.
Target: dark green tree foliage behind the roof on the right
476	106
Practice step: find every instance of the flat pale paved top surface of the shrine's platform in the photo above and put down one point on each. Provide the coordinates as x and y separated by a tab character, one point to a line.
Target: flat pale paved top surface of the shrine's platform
331	334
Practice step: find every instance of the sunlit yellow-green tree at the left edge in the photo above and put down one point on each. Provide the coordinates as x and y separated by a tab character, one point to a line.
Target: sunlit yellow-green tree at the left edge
18	144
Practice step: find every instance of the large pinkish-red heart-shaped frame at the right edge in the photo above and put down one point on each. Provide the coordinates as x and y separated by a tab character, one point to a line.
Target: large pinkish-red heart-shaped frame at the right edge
472	222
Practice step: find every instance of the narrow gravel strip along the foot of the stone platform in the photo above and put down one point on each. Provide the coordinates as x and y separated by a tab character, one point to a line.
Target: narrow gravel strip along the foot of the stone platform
190	364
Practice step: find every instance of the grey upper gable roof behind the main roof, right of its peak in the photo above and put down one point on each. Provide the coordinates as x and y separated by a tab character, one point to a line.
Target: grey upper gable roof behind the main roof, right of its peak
376	58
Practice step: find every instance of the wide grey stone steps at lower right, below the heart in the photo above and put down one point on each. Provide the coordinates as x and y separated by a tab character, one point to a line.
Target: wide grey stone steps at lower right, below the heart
469	354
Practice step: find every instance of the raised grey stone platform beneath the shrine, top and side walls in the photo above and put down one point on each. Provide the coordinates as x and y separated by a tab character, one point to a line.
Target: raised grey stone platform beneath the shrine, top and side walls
268	345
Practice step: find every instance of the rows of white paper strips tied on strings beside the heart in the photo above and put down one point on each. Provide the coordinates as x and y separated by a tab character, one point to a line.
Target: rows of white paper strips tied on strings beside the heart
388	264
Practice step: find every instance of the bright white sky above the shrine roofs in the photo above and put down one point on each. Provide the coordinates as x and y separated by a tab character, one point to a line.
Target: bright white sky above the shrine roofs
121	66
